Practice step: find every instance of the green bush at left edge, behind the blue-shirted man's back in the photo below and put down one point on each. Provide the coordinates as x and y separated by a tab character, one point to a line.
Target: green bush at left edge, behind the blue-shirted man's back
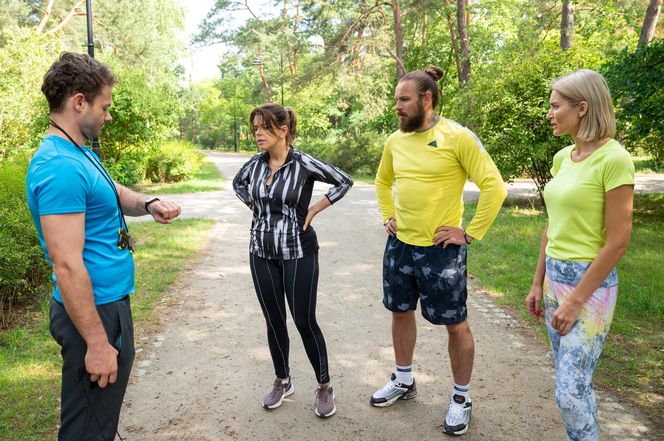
22	264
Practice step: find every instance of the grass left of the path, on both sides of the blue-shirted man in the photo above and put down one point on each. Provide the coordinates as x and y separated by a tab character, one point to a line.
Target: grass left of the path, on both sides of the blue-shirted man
30	360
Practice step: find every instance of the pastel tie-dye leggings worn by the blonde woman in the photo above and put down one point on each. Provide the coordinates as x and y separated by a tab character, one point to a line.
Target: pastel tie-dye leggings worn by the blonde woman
576	354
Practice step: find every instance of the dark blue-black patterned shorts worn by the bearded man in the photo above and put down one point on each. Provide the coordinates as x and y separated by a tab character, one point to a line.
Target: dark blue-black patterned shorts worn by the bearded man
434	275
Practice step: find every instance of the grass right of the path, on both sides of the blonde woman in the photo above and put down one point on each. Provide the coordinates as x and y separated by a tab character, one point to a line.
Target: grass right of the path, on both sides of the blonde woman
632	363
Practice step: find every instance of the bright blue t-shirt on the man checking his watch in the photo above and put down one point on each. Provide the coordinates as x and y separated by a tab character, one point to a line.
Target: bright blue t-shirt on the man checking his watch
61	180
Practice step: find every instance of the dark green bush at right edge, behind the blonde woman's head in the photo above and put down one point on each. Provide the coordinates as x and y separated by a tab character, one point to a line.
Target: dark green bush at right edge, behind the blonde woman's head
635	78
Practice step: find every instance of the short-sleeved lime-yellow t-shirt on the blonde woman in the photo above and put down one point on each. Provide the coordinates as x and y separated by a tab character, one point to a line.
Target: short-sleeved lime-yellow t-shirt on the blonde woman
575	200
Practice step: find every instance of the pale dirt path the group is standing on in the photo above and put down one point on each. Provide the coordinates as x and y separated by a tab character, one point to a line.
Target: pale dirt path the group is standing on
202	374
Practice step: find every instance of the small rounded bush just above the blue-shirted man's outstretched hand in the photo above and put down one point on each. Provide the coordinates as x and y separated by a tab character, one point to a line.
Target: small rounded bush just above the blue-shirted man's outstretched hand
173	162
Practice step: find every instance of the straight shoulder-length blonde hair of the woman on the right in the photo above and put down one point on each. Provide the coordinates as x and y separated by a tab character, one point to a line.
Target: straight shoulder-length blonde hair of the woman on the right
589	86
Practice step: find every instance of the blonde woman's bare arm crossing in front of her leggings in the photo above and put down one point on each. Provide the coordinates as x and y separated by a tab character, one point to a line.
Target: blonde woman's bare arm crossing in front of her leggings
618	219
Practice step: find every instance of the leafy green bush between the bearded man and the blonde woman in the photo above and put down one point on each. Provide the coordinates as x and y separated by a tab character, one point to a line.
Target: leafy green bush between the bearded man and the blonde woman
509	112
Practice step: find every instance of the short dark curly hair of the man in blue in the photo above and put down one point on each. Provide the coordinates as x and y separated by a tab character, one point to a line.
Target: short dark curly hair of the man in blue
75	73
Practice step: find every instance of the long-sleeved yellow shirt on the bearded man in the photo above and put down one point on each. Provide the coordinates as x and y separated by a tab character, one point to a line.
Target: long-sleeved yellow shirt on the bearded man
430	169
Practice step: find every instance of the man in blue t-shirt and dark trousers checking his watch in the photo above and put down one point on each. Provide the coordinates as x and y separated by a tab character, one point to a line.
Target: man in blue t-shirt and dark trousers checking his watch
79	214
